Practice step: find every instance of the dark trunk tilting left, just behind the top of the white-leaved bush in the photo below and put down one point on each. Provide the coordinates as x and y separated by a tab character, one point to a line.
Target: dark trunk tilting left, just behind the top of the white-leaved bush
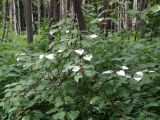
79	14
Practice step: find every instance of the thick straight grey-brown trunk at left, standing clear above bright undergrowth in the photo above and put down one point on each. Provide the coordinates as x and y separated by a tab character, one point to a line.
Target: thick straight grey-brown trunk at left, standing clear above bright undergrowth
28	16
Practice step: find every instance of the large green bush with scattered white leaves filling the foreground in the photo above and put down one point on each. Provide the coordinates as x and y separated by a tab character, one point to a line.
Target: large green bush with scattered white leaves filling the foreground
94	79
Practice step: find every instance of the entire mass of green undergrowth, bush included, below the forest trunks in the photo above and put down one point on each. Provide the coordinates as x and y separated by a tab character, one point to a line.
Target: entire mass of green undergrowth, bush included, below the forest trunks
83	75
